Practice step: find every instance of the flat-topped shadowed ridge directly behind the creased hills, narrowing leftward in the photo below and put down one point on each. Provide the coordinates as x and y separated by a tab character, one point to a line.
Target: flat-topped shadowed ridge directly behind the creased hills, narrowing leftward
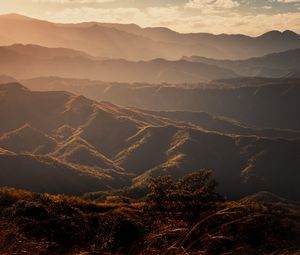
271	106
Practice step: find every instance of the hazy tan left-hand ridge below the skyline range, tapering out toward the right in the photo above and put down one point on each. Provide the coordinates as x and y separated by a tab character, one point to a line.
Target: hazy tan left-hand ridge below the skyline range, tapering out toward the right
28	61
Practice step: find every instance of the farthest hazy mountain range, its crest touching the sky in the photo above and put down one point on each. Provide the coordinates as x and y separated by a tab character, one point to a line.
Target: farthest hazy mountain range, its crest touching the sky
135	43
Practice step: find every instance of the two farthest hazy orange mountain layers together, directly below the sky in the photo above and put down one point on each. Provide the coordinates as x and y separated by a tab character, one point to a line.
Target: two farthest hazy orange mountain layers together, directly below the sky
128	53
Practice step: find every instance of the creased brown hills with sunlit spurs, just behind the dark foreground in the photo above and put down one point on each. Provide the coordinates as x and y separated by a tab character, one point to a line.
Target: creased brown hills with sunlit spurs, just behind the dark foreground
72	145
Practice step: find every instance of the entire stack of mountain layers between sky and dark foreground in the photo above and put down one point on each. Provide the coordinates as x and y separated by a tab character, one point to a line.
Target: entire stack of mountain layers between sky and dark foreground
107	106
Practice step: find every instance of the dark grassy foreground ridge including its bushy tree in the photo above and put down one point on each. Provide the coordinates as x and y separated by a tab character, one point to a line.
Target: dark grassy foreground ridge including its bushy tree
183	217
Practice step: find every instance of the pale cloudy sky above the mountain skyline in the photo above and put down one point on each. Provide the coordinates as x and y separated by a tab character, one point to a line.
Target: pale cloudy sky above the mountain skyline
251	17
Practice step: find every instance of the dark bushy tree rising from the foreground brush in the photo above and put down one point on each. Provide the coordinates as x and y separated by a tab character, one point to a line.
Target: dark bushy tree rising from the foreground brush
192	194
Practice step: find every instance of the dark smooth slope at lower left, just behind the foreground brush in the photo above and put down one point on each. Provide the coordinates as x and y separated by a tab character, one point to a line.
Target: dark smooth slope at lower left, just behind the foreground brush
46	174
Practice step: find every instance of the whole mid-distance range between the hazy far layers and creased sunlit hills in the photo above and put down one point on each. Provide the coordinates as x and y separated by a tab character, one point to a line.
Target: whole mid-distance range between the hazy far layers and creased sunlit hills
257	102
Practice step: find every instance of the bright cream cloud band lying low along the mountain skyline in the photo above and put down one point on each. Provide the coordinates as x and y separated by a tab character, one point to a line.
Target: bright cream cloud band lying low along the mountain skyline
180	19
